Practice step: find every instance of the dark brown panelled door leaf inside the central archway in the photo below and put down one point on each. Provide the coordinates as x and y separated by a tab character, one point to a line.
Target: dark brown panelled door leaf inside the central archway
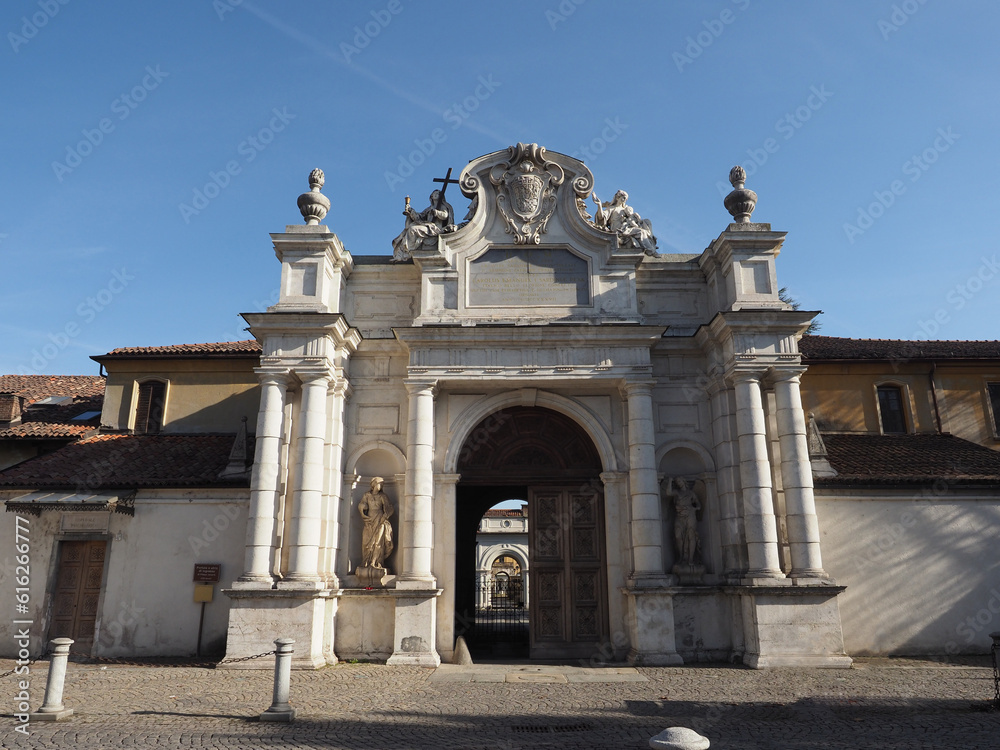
567	584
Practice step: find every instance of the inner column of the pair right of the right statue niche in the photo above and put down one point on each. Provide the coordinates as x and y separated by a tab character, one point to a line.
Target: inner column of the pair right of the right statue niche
755	477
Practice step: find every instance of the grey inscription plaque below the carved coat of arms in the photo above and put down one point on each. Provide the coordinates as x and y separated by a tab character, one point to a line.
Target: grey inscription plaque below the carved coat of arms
526	277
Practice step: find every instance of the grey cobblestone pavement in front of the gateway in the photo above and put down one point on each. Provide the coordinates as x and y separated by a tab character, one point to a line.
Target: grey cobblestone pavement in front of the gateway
881	703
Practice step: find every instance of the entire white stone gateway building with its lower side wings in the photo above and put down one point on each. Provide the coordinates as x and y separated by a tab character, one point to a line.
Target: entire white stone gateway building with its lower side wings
653	411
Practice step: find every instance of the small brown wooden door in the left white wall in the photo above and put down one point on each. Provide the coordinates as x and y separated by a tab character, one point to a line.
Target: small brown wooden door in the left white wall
78	592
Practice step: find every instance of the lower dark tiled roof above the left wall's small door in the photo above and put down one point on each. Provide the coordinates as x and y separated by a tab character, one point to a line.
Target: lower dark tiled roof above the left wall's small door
119	461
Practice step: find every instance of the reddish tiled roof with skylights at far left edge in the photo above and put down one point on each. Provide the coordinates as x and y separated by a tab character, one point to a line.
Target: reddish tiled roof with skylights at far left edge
52	421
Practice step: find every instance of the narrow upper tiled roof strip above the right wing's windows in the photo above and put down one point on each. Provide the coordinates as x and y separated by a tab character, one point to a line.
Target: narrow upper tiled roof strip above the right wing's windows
815	348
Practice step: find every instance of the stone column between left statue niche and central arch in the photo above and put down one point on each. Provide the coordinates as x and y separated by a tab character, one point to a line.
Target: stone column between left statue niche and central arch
417	536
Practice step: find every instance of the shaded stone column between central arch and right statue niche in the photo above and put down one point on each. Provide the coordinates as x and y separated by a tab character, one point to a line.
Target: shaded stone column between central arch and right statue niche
646	527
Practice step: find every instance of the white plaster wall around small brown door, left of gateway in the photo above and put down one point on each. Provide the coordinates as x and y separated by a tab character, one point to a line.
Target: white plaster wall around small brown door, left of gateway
147	606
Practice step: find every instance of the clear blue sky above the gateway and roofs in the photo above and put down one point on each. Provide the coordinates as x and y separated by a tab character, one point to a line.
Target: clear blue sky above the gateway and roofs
868	129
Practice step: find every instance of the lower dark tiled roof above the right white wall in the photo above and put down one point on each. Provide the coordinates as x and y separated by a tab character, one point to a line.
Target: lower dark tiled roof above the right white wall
908	459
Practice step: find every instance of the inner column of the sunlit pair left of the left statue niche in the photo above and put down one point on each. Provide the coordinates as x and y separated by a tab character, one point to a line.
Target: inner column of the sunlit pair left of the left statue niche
307	500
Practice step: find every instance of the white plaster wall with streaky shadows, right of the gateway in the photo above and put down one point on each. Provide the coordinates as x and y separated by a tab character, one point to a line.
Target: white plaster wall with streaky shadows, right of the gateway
922	572
